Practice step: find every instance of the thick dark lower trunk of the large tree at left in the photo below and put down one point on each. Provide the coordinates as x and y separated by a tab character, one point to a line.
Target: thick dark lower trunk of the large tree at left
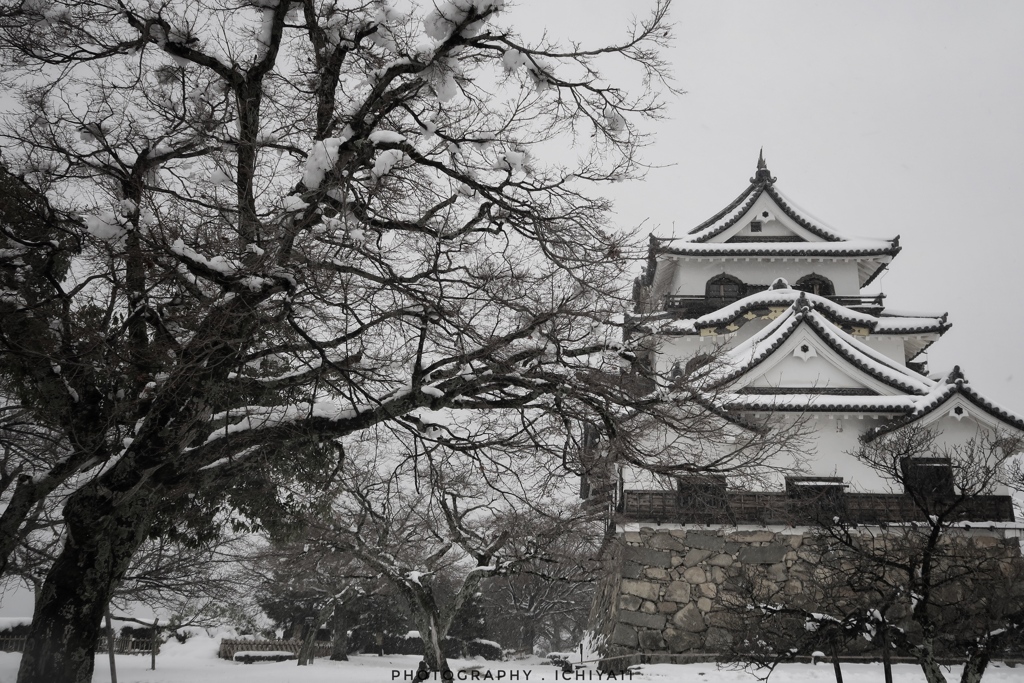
67	623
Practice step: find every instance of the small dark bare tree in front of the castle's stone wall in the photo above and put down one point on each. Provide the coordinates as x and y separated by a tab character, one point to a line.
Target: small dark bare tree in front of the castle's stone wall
924	576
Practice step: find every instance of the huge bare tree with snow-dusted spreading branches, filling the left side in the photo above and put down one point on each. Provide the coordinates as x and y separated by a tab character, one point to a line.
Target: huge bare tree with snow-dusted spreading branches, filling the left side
264	229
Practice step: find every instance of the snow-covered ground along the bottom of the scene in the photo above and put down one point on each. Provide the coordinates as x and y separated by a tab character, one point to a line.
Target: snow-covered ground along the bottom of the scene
196	662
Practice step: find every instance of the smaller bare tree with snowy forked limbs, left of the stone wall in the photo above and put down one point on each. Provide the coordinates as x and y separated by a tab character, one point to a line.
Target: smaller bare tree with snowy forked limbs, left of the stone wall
437	522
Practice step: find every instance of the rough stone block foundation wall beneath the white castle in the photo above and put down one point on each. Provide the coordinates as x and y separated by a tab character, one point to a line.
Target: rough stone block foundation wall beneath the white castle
684	592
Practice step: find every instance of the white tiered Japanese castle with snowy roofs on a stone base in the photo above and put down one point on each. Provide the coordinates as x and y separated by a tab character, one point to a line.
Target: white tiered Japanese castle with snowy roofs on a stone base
777	298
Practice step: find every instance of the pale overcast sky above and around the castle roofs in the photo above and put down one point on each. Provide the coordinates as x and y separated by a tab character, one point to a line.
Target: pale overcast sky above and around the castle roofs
880	118
